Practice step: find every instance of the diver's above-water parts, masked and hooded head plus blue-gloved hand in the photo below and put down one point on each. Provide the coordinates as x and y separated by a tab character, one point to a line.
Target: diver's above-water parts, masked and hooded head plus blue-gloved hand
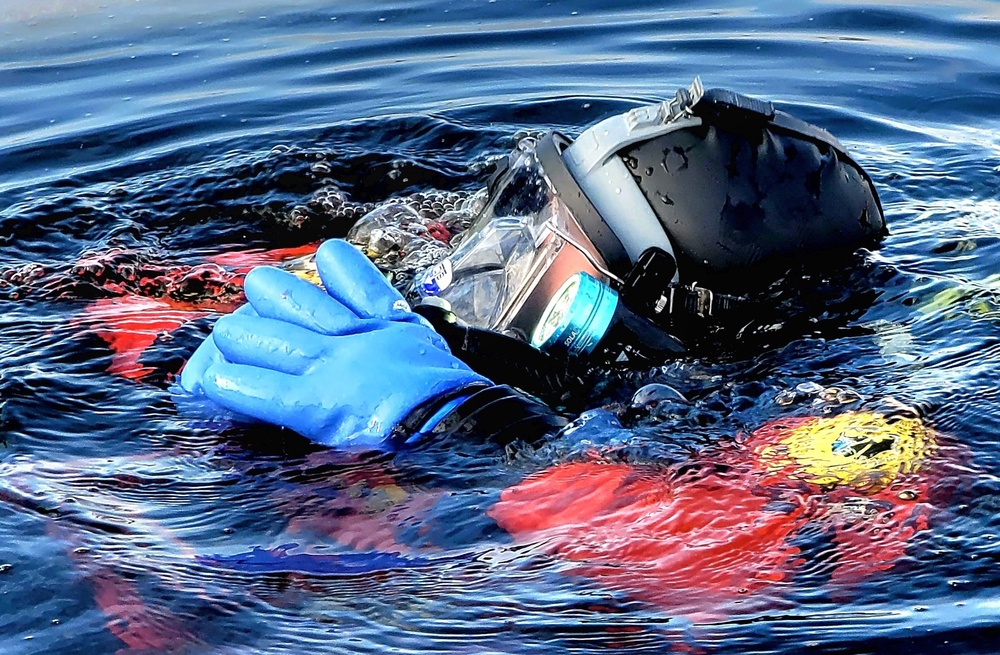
600	249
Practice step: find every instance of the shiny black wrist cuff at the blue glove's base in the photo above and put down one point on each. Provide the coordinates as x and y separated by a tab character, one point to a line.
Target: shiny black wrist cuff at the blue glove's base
495	413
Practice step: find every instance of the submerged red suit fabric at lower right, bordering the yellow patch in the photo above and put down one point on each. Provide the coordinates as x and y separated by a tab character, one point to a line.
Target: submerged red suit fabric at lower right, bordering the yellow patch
695	538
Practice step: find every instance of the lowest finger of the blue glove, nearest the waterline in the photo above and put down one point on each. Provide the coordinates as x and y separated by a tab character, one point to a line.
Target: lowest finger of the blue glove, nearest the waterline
259	393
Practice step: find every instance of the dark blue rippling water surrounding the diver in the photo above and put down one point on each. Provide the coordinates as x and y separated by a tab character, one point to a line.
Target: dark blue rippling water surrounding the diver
167	133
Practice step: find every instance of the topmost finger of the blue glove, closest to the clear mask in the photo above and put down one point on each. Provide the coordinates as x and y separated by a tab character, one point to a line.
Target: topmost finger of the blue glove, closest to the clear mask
357	284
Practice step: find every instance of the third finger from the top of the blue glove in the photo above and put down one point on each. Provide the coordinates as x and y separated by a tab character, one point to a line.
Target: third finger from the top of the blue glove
267	343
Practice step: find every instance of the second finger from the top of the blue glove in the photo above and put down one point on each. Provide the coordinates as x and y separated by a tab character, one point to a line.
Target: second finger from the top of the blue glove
280	295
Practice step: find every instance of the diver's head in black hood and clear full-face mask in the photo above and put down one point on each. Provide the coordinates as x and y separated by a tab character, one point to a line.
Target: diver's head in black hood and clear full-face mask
670	210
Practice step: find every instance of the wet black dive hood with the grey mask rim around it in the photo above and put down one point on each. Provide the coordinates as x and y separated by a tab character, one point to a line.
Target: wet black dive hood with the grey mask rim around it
727	191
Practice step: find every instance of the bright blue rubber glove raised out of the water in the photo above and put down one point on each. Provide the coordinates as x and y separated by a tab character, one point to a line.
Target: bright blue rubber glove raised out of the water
342	367
